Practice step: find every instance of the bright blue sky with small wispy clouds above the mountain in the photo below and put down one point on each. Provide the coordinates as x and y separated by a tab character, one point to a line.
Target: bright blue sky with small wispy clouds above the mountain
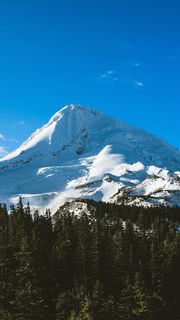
119	57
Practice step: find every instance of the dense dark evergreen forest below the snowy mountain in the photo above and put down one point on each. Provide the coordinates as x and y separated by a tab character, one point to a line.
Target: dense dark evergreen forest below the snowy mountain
105	262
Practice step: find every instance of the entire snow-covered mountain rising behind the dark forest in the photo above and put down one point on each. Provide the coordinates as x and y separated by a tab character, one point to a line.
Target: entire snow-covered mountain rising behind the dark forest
81	153
